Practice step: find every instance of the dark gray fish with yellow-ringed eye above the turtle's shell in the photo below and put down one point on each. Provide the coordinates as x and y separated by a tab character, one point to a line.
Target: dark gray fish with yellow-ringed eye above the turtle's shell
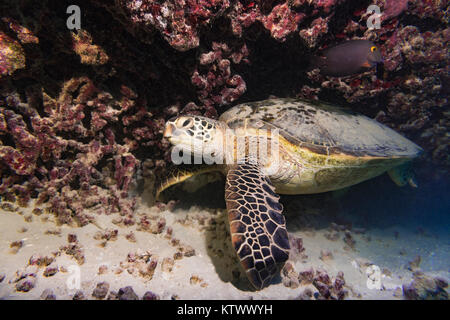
347	58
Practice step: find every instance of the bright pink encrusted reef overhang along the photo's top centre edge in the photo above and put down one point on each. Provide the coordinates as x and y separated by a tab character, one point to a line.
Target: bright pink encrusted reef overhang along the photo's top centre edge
180	22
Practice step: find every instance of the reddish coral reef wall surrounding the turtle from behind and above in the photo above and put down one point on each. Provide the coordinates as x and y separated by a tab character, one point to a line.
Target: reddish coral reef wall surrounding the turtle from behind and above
82	111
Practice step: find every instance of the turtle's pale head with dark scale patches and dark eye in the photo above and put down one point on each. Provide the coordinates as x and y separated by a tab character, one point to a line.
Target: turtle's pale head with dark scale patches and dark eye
194	133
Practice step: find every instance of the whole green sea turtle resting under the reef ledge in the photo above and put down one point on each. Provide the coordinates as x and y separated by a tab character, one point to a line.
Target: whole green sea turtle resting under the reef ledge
318	148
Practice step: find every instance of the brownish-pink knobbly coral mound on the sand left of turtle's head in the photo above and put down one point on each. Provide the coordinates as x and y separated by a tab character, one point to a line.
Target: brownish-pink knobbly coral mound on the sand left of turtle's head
43	148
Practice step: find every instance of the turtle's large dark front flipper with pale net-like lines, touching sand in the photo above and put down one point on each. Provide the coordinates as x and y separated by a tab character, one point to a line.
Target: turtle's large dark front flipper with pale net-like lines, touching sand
257	226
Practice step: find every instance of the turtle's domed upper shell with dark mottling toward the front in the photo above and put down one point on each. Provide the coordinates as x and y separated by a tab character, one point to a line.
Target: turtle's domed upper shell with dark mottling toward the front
324	128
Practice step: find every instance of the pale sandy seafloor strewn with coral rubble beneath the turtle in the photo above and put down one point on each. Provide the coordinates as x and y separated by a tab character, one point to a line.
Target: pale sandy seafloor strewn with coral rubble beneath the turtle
390	226
